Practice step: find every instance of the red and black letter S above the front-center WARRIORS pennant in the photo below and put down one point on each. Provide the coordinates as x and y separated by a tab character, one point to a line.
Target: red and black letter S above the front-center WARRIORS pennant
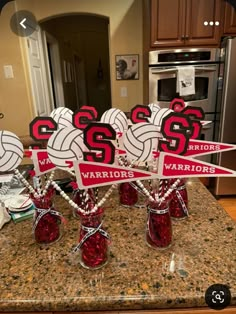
97	137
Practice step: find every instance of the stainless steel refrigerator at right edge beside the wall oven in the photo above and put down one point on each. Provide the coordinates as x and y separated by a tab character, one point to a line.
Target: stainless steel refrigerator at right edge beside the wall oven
226	116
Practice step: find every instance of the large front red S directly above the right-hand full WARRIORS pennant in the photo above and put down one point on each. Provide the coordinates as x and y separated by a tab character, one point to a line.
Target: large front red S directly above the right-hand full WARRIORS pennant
179	135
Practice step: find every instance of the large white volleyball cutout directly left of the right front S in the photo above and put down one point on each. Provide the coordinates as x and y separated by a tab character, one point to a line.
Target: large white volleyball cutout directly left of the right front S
141	140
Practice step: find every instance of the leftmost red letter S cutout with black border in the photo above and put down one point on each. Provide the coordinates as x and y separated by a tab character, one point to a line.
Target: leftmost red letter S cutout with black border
36	126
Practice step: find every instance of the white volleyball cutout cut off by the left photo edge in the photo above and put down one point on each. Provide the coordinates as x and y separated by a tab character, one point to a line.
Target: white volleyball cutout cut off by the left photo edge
11	151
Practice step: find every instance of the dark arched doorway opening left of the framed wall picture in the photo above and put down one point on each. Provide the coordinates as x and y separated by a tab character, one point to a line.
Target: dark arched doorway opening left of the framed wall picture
77	51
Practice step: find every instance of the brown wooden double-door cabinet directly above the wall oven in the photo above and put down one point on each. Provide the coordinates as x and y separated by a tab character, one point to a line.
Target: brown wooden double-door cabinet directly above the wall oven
179	23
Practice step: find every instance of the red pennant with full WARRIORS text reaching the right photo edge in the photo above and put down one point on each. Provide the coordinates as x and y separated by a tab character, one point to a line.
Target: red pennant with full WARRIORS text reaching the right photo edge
173	166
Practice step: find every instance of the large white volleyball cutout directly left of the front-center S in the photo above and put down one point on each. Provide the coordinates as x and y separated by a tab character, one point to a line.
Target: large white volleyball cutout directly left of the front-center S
66	145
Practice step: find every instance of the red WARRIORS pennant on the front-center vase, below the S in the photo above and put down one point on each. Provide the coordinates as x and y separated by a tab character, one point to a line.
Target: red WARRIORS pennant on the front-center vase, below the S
92	174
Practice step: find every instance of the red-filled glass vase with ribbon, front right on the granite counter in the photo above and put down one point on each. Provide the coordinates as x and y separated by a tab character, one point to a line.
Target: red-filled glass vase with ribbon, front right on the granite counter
159	228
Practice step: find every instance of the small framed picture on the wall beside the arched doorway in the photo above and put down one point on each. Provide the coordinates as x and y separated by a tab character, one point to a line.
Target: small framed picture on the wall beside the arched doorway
127	67
